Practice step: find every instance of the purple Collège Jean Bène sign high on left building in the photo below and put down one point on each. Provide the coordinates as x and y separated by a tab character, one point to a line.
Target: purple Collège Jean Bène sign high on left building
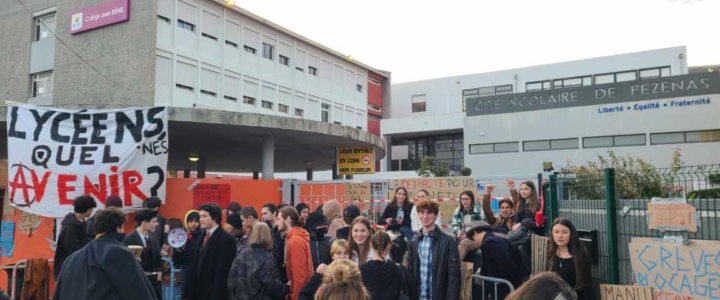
100	15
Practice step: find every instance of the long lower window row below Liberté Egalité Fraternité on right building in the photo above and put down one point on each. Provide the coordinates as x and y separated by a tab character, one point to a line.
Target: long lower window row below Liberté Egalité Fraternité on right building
598	142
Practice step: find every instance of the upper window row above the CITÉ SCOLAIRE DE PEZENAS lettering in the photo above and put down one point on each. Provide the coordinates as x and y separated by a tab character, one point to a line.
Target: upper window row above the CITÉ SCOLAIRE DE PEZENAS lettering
598	79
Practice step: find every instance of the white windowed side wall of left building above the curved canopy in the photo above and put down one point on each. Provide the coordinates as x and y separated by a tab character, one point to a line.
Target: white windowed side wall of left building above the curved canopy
215	71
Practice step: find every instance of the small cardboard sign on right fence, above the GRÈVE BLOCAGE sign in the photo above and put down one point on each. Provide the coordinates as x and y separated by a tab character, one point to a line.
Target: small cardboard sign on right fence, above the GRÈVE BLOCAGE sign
671	216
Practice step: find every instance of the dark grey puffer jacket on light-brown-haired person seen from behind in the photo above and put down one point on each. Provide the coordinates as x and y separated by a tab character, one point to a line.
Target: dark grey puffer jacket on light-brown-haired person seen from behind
254	276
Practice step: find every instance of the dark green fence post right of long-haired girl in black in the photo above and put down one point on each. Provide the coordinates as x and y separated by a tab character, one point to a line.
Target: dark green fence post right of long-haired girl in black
611	215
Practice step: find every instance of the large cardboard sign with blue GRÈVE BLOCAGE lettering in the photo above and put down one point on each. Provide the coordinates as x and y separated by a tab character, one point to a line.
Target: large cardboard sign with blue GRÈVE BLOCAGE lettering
677	271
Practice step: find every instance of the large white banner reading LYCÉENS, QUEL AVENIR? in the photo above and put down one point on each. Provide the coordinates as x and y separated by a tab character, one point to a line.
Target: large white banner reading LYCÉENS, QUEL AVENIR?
55	155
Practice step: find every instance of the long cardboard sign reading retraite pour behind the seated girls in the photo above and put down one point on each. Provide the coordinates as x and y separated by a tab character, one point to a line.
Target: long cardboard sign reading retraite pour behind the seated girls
440	187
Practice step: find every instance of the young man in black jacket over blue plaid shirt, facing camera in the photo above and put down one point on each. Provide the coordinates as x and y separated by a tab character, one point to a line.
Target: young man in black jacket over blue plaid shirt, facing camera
433	258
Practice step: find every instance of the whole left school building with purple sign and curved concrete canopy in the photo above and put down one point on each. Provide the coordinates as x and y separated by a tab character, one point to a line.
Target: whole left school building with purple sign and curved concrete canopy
246	95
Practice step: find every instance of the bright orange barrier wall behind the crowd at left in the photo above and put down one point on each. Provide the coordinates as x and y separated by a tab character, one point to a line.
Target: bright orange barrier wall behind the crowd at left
178	201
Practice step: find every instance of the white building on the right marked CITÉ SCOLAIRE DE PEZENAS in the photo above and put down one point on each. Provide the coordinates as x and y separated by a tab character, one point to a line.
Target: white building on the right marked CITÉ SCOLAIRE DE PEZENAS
455	119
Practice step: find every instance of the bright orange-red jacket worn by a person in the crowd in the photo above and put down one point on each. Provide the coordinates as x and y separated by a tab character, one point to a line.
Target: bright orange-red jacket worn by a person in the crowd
298	261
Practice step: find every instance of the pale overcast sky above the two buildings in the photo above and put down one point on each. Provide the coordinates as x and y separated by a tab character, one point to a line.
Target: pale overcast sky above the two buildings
428	39
